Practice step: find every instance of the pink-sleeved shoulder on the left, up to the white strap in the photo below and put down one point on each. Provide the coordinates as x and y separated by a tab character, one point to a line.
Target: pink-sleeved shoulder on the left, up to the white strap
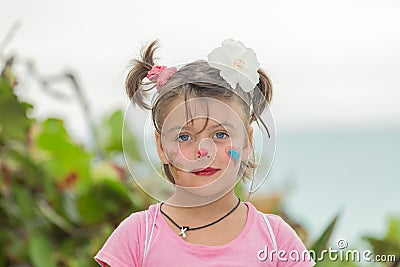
124	247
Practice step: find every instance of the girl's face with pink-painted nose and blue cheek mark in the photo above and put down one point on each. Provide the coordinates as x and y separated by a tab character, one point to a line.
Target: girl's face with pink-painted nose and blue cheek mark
205	149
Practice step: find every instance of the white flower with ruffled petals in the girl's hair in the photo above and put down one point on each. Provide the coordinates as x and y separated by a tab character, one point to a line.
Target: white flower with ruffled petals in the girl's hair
237	63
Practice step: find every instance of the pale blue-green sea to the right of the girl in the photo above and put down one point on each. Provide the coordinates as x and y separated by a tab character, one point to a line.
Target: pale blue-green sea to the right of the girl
354	173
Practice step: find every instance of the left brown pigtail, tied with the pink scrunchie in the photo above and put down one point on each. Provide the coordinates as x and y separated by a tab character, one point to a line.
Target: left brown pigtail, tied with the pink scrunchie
139	69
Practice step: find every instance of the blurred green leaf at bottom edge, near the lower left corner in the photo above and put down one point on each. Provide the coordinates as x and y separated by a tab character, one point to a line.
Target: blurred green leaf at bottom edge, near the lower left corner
41	251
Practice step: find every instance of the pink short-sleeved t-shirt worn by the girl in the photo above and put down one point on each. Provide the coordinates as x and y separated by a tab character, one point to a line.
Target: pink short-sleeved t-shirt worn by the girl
270	242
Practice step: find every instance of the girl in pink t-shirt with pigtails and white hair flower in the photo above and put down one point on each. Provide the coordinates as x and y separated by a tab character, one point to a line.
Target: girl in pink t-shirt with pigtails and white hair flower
202	113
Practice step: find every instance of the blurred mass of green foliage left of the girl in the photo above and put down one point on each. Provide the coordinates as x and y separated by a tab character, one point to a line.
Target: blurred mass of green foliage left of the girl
59	201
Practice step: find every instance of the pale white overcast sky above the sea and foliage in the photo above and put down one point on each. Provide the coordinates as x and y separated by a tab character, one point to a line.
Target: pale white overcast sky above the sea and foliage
333	64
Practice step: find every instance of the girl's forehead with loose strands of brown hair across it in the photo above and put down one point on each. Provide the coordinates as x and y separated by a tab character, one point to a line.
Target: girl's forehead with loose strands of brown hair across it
199	110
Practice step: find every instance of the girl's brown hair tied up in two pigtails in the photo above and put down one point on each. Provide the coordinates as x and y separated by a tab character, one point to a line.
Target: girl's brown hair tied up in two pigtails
196	79
